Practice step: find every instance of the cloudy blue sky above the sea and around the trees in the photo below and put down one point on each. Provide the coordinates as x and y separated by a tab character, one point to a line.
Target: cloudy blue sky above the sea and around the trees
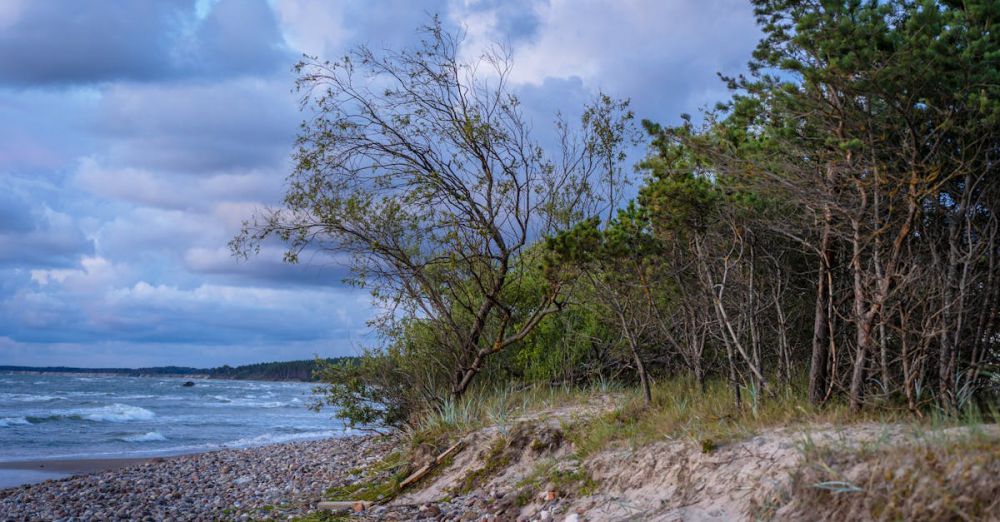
135	137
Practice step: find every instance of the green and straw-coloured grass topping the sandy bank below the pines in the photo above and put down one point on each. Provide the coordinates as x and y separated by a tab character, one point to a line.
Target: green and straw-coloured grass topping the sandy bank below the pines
680	410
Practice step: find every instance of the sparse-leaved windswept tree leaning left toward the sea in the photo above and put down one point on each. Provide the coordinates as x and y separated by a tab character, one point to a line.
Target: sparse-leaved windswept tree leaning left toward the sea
421	167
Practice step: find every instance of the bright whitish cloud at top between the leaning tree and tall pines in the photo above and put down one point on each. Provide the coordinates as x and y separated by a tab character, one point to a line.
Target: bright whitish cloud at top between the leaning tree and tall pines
662	52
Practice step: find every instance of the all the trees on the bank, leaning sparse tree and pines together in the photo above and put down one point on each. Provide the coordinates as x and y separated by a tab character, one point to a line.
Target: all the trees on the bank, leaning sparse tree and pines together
833	223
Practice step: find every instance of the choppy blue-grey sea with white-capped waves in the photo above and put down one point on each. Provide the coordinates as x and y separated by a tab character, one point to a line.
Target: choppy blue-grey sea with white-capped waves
66	417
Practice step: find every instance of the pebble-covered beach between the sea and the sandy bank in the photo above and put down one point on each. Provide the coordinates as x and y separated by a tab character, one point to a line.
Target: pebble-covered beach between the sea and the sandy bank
270	482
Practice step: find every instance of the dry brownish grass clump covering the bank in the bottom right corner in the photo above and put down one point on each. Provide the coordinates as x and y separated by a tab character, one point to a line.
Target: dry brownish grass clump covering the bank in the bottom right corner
930	476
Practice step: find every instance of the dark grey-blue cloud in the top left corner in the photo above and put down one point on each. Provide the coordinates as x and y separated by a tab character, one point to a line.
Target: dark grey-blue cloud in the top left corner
68	42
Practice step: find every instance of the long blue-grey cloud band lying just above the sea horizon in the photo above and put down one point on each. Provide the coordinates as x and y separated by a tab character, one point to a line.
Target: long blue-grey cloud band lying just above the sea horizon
63	308
